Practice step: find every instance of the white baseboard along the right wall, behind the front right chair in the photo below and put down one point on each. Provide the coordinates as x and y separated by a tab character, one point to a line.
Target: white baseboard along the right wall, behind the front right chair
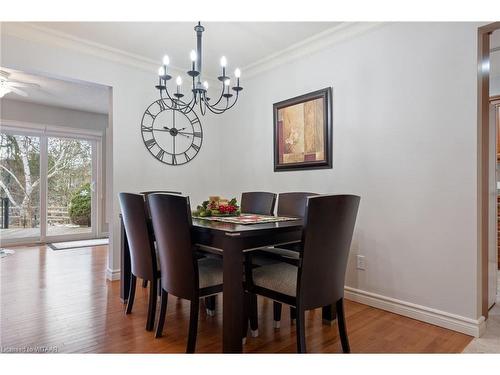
439	318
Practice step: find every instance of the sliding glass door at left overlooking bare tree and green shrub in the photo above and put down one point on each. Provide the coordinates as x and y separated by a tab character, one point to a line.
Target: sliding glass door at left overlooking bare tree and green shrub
47	188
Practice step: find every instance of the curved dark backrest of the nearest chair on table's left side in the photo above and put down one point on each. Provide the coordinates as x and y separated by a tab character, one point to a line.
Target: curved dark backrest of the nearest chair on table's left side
171	216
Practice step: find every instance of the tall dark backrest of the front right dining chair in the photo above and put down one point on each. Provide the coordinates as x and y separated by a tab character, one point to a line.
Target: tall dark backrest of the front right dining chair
329	226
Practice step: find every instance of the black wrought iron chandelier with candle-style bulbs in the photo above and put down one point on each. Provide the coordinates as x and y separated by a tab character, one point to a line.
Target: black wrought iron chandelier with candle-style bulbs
199	89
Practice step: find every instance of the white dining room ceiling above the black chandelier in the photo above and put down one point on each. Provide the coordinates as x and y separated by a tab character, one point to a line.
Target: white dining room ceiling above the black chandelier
243	43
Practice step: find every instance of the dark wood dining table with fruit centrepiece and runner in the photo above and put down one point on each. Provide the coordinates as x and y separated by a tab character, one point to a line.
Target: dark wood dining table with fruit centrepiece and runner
229	240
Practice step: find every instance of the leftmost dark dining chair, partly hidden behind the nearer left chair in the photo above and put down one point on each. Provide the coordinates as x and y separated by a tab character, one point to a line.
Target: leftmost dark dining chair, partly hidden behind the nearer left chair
142	251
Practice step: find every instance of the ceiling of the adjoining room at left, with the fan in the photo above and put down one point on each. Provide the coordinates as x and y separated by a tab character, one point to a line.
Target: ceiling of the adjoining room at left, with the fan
81	96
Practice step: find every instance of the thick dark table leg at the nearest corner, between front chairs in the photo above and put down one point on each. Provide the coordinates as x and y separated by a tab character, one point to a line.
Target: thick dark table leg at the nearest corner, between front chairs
232	325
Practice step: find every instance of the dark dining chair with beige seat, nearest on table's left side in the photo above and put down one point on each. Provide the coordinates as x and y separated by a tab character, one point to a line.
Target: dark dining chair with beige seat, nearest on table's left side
183	275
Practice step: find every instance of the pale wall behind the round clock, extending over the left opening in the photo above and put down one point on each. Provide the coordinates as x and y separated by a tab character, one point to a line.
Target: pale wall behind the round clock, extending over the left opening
134	169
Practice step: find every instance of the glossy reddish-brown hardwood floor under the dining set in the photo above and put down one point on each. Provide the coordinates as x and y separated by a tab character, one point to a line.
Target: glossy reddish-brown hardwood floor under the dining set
61	299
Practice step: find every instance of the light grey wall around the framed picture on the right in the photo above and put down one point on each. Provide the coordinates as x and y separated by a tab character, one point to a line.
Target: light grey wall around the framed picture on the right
404	139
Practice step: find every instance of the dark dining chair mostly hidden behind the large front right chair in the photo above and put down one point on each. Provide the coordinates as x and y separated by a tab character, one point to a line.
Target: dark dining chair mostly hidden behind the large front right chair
292	204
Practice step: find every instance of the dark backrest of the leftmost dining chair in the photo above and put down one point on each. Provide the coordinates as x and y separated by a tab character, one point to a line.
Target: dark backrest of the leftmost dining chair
142	253
